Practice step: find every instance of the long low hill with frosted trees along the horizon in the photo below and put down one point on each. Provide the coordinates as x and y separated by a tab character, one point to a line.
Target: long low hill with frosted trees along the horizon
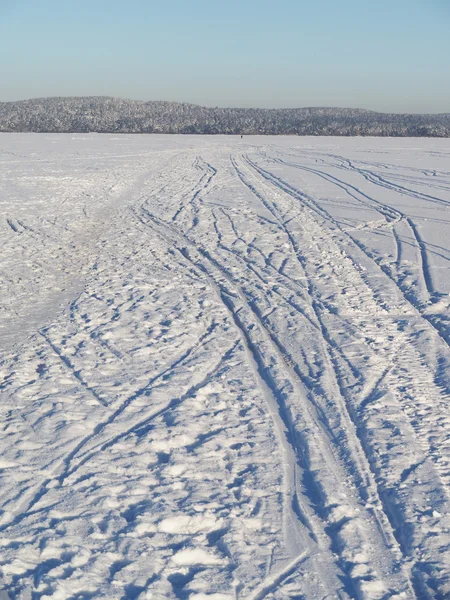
115	115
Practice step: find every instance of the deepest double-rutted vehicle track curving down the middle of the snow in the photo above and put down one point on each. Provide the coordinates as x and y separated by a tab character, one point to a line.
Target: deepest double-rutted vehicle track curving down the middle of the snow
307	451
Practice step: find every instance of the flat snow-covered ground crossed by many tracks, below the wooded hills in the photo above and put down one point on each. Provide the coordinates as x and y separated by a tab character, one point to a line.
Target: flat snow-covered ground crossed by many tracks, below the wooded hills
225	368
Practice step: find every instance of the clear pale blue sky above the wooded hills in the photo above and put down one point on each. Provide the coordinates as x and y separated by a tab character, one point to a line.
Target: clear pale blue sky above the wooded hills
386	55
